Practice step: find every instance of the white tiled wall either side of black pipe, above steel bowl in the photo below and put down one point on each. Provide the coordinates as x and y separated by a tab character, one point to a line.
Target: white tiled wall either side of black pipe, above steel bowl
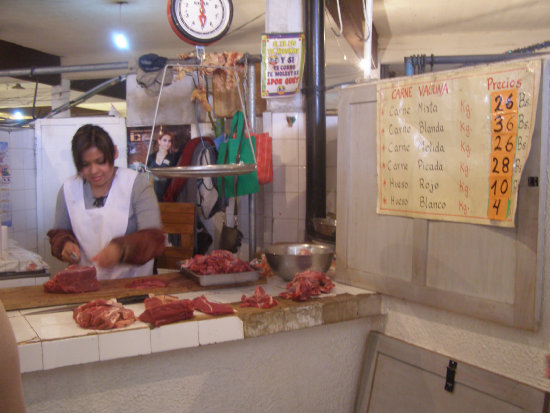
285	198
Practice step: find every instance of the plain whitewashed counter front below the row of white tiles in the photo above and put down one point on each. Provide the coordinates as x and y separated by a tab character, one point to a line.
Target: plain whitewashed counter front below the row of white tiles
312	370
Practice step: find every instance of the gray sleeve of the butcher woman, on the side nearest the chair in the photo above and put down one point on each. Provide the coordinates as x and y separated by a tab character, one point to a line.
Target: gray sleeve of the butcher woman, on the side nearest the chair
144	206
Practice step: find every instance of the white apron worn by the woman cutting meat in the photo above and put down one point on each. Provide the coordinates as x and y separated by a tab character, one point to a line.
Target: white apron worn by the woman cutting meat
96	227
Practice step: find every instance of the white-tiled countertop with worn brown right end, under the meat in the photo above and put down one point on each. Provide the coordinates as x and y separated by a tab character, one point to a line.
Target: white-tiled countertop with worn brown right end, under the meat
49	341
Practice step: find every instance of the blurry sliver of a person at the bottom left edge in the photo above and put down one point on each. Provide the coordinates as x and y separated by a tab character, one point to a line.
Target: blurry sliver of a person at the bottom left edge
11	388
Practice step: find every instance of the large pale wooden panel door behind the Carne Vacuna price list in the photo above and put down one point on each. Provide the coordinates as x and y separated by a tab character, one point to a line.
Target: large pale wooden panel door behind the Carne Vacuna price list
483	271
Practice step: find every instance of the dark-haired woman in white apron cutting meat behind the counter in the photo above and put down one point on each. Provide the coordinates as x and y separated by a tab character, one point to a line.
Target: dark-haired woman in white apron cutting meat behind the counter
106	215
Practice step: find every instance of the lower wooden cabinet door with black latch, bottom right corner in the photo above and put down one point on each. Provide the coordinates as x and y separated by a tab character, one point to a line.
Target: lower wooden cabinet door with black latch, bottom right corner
400	377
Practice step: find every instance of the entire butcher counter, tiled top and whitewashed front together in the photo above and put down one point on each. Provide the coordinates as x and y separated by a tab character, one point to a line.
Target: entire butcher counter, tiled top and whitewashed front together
264	360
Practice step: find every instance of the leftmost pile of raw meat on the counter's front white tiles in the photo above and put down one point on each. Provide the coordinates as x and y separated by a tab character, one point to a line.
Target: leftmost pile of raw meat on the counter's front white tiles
103	315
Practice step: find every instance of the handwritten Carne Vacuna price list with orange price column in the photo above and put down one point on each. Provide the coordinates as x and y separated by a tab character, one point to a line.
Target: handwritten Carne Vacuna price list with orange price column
452	145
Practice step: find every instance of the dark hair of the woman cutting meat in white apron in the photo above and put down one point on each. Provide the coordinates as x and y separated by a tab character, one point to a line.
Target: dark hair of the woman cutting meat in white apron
89	136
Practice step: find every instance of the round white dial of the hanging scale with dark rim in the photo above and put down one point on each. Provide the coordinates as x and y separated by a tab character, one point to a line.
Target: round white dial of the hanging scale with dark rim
200	22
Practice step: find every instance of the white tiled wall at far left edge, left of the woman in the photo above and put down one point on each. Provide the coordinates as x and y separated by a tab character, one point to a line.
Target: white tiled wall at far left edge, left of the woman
22	164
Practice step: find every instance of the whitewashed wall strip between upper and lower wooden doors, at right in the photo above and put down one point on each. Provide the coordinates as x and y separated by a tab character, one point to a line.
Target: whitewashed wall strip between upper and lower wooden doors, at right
514	353
